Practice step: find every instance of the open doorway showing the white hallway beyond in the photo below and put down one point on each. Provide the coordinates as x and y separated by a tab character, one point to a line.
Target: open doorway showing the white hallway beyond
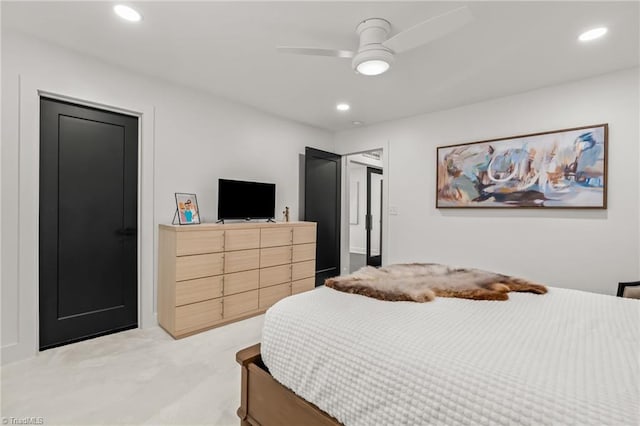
365	179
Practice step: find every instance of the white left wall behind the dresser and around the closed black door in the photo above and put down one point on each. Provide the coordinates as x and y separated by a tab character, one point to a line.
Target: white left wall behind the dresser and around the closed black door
179	126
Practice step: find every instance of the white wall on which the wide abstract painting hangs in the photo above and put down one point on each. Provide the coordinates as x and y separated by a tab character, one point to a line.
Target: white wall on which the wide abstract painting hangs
582	249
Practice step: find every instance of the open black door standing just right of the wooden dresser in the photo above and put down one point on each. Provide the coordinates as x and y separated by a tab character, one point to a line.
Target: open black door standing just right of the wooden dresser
322	205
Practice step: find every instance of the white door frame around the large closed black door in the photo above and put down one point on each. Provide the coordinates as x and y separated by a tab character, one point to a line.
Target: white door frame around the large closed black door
29	93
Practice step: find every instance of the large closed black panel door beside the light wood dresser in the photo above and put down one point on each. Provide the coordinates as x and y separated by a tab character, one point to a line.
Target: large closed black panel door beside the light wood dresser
88	216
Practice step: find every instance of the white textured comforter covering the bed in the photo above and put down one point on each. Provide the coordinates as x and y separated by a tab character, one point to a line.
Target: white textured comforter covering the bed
567	357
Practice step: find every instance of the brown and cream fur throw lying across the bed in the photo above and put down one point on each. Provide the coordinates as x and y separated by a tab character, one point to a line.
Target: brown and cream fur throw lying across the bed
422	282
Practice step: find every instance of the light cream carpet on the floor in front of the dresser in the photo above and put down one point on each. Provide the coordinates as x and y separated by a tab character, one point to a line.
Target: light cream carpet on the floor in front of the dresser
133	377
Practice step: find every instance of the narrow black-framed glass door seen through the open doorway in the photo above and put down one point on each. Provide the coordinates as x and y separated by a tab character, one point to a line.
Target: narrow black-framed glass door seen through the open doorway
374	216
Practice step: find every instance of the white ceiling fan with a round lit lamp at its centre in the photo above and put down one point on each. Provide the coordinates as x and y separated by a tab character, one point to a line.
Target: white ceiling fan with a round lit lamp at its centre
376	51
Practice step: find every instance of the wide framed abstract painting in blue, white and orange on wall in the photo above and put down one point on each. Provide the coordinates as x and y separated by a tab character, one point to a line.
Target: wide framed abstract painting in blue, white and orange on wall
559	169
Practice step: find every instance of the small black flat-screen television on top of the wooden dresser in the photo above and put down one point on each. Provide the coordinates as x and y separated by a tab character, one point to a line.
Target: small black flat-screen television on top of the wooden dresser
246	200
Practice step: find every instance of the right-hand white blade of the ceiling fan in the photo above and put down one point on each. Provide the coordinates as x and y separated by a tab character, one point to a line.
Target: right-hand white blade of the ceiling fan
429	30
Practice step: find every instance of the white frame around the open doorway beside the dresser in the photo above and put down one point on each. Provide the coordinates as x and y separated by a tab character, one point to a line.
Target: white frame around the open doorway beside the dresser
345	263
